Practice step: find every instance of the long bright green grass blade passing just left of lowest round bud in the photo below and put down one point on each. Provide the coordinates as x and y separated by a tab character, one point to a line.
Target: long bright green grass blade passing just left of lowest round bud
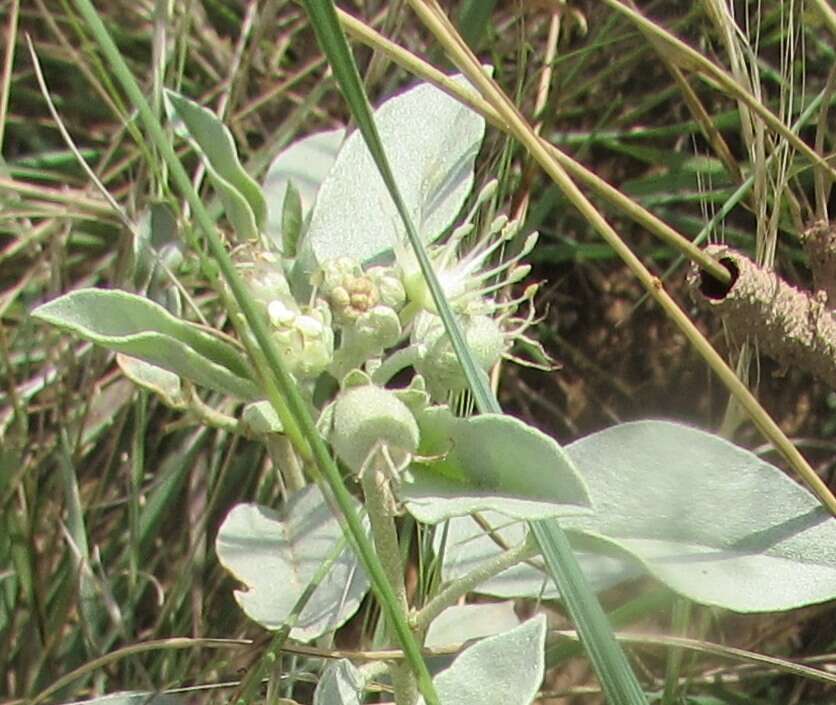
280	386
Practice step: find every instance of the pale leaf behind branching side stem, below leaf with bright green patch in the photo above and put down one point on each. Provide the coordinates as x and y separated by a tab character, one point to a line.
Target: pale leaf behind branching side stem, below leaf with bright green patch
467	545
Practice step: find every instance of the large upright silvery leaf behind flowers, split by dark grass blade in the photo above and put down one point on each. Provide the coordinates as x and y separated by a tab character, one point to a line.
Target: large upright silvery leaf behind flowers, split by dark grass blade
431	142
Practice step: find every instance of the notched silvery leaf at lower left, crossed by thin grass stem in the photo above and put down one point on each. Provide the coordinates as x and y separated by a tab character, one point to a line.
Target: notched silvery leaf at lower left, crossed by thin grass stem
277	555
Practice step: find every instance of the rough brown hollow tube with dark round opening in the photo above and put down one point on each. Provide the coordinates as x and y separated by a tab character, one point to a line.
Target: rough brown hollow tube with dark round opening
793	327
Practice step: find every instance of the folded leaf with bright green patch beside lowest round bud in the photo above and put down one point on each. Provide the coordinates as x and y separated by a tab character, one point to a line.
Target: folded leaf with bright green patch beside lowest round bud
491	461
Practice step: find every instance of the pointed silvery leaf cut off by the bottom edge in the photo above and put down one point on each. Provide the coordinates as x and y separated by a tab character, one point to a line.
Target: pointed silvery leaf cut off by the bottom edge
505	669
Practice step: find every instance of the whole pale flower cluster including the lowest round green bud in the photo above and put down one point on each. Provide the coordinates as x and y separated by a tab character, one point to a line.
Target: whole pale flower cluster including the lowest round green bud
364	325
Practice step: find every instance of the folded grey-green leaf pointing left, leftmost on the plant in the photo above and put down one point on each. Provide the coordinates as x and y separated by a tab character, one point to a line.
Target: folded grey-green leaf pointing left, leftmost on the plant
133	325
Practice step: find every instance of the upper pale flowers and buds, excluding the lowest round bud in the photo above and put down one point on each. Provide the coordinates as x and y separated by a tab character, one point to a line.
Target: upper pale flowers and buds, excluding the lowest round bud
382	319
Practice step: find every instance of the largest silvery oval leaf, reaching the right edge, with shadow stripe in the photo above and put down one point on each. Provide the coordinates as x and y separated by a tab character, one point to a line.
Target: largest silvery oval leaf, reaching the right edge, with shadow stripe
712	521
